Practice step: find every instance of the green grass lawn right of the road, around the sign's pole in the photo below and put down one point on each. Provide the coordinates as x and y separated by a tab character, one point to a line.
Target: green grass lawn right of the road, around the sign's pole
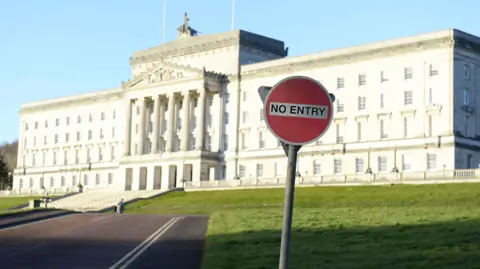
434	226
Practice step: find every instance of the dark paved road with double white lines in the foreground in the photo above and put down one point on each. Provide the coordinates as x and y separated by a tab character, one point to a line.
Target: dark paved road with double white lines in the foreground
105	241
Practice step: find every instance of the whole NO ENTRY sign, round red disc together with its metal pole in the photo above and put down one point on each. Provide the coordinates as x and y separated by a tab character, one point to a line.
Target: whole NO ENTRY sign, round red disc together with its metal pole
298	110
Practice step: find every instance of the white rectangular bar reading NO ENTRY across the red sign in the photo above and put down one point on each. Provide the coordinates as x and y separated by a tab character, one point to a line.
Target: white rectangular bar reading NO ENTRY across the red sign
298	110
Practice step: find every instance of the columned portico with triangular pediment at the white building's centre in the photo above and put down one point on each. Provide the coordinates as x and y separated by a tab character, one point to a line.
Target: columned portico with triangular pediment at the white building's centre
168	127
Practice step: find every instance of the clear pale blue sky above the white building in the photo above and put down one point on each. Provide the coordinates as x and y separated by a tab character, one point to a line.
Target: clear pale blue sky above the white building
54	48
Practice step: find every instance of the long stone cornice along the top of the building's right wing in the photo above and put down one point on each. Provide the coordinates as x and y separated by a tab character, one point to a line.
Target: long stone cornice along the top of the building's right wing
346	58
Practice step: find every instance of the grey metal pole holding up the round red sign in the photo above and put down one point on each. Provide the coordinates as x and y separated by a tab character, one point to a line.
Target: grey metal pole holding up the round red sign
288	206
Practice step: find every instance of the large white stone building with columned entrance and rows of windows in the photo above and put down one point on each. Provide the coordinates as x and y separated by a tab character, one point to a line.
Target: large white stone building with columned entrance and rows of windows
191	112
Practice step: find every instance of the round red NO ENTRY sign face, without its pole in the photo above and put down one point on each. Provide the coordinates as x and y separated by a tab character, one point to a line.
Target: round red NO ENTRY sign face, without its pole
298	110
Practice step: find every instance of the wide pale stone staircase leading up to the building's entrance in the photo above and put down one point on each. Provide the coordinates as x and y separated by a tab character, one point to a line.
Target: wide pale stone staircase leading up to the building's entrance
99	199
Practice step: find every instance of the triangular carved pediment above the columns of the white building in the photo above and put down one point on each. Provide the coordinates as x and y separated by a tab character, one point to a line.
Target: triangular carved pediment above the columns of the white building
165	72
